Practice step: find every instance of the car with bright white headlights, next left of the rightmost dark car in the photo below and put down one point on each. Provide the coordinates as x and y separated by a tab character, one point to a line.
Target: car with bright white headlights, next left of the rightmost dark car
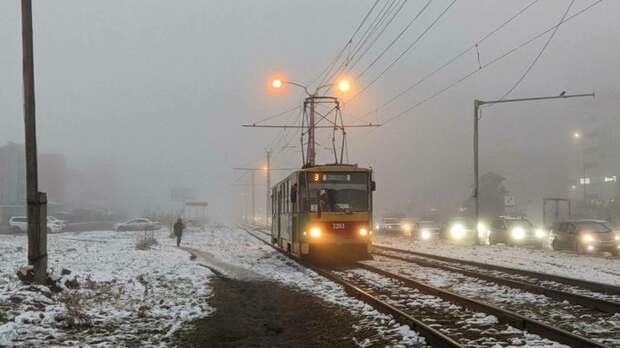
516	231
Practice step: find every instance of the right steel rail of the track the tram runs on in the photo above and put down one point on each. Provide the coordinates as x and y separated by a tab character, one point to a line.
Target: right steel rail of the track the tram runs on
505	316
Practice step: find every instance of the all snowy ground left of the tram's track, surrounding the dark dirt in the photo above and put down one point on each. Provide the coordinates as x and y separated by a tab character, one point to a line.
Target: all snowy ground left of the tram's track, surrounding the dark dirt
110	308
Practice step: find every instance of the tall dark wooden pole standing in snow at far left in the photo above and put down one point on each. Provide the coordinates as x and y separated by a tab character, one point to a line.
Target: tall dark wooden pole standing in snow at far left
37	201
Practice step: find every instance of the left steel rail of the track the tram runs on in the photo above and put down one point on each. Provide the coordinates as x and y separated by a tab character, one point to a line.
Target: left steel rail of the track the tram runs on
432	336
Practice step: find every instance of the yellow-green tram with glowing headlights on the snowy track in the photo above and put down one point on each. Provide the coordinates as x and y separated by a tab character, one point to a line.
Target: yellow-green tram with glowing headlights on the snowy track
324	212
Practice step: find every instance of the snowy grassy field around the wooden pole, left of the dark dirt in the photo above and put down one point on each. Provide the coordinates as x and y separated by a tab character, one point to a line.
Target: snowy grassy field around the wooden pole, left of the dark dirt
125	296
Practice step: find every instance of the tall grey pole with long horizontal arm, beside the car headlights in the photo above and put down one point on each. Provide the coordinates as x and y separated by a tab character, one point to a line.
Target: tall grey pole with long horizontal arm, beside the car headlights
477	104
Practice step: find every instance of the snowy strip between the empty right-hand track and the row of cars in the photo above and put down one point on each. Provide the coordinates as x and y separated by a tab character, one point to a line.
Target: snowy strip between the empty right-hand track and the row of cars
592	268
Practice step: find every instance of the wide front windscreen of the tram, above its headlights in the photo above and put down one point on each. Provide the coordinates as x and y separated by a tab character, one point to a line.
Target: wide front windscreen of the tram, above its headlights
339	193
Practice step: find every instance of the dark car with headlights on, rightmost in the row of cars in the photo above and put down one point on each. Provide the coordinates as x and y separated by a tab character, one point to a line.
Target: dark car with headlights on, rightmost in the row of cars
586	236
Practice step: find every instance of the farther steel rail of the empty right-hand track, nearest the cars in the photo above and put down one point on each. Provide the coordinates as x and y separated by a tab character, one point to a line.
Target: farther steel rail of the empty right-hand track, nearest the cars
594	286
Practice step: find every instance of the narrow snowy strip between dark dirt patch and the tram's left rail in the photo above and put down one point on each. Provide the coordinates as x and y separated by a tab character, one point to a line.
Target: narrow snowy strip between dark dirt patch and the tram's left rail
235	253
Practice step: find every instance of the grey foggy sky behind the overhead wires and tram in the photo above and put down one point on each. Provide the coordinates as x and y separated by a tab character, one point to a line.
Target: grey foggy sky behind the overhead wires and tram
144	96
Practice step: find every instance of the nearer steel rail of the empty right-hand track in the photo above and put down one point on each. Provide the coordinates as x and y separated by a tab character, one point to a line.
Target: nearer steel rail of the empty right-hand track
585	301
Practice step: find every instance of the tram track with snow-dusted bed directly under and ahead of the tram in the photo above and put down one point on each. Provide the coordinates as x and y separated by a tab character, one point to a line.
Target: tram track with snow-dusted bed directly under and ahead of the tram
442	323
